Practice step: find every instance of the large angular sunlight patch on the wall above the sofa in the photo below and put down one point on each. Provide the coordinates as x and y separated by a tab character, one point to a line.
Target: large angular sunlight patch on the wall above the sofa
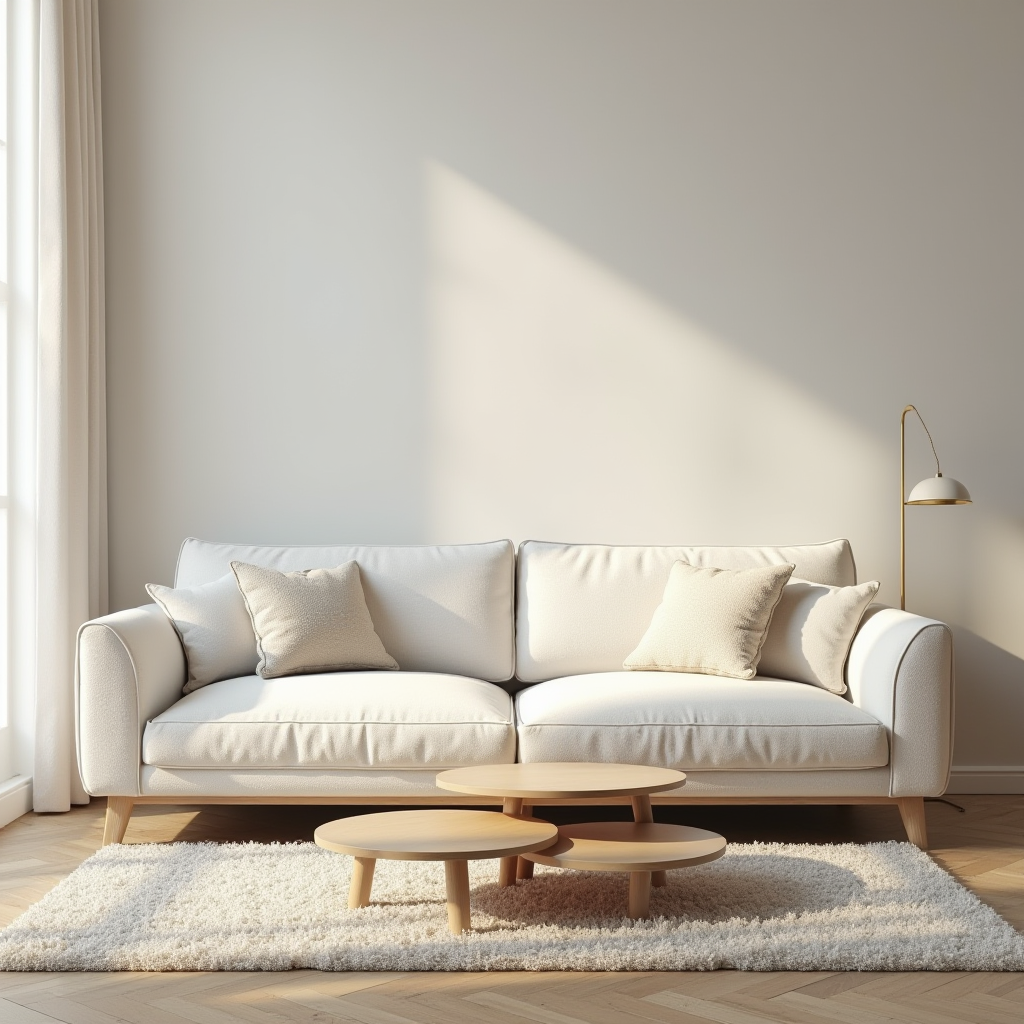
569	404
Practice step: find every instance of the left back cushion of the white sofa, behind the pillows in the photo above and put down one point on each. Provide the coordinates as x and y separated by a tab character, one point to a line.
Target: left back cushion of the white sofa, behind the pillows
446	609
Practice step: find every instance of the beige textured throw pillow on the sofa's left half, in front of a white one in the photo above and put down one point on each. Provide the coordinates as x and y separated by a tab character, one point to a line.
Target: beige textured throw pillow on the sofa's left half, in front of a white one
314	621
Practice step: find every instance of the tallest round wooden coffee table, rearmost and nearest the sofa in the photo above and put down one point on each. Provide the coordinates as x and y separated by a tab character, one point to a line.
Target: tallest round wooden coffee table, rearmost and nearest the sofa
519	785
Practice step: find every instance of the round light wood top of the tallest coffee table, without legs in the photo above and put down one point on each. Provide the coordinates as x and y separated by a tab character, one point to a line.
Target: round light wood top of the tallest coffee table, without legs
561	780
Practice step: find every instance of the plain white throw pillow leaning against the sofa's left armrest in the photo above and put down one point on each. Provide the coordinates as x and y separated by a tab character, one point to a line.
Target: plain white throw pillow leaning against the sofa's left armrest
212	623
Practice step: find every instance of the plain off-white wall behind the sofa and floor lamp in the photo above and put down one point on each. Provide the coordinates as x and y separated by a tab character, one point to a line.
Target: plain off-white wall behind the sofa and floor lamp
639	272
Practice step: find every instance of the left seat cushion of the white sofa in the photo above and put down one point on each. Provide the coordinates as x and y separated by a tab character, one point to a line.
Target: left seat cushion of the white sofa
336	720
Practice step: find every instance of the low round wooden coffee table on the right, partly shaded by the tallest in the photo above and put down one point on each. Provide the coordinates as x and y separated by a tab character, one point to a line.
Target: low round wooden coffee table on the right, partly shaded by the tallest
628	846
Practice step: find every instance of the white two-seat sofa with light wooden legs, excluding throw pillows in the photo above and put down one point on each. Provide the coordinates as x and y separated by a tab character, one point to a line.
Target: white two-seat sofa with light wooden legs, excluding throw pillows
473	625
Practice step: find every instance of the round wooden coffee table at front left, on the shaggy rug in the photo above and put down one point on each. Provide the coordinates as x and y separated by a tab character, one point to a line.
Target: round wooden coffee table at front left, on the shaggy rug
453	836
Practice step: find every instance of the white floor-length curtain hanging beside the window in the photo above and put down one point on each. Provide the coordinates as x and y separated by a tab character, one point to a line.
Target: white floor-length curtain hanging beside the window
71	415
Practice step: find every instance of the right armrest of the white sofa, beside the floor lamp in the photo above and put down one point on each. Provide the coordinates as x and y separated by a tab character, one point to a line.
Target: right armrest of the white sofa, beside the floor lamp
901	671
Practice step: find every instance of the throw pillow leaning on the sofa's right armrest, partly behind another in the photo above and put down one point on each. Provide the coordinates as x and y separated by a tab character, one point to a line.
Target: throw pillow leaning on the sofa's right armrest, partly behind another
813	630
